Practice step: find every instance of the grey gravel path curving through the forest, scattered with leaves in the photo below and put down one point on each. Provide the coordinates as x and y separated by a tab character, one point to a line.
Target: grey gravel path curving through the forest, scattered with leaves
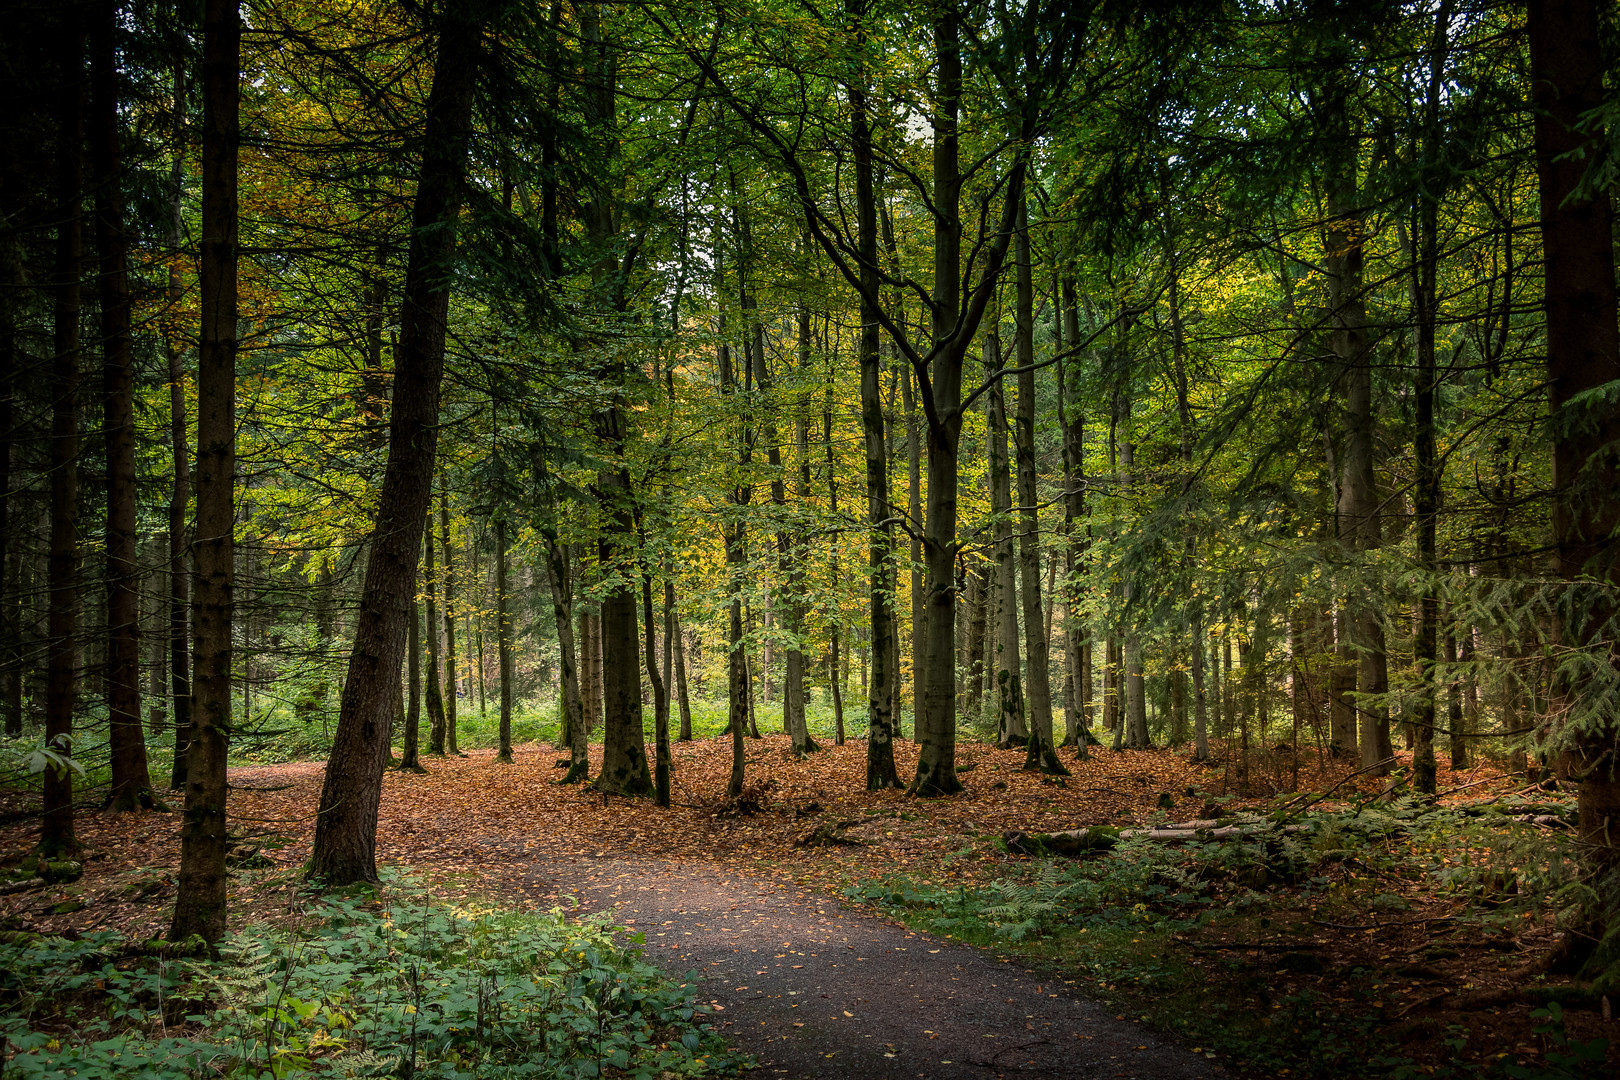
814	989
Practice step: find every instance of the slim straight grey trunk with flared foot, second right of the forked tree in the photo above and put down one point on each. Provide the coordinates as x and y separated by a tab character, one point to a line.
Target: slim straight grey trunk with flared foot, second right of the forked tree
1042	754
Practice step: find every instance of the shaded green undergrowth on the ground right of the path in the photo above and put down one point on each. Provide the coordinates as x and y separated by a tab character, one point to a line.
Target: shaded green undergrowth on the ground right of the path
1128	927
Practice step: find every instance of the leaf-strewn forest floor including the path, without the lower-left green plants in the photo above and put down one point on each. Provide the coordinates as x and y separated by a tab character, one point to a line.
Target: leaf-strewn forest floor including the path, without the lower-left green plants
1360	969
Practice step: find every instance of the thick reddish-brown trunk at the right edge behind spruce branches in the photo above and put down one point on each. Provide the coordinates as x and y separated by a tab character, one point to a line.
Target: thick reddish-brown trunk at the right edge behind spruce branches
1584	352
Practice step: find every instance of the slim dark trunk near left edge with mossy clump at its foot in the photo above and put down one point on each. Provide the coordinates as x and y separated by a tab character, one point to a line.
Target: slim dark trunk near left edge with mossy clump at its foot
62	574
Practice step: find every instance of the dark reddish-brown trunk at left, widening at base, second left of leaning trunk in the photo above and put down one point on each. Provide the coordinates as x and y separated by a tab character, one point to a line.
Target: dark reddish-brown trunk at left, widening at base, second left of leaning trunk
132	786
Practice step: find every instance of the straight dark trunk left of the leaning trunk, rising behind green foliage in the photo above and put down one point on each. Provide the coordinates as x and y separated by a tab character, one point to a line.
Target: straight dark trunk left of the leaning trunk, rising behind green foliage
200	895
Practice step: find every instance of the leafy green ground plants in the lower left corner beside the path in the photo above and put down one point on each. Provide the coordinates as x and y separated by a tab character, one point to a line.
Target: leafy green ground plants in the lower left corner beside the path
370	989
